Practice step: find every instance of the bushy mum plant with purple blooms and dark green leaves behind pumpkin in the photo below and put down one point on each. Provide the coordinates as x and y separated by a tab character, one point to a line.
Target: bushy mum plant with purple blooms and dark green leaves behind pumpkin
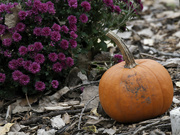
40	39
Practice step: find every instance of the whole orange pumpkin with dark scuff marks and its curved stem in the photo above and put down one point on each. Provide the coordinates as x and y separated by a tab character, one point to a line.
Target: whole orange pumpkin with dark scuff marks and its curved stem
135	90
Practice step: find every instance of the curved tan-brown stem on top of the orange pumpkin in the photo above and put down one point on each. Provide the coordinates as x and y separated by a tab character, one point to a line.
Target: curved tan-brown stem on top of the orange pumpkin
127	55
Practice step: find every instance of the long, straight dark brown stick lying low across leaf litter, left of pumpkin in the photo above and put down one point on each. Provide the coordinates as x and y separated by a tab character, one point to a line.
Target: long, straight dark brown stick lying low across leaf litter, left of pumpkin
51	114
